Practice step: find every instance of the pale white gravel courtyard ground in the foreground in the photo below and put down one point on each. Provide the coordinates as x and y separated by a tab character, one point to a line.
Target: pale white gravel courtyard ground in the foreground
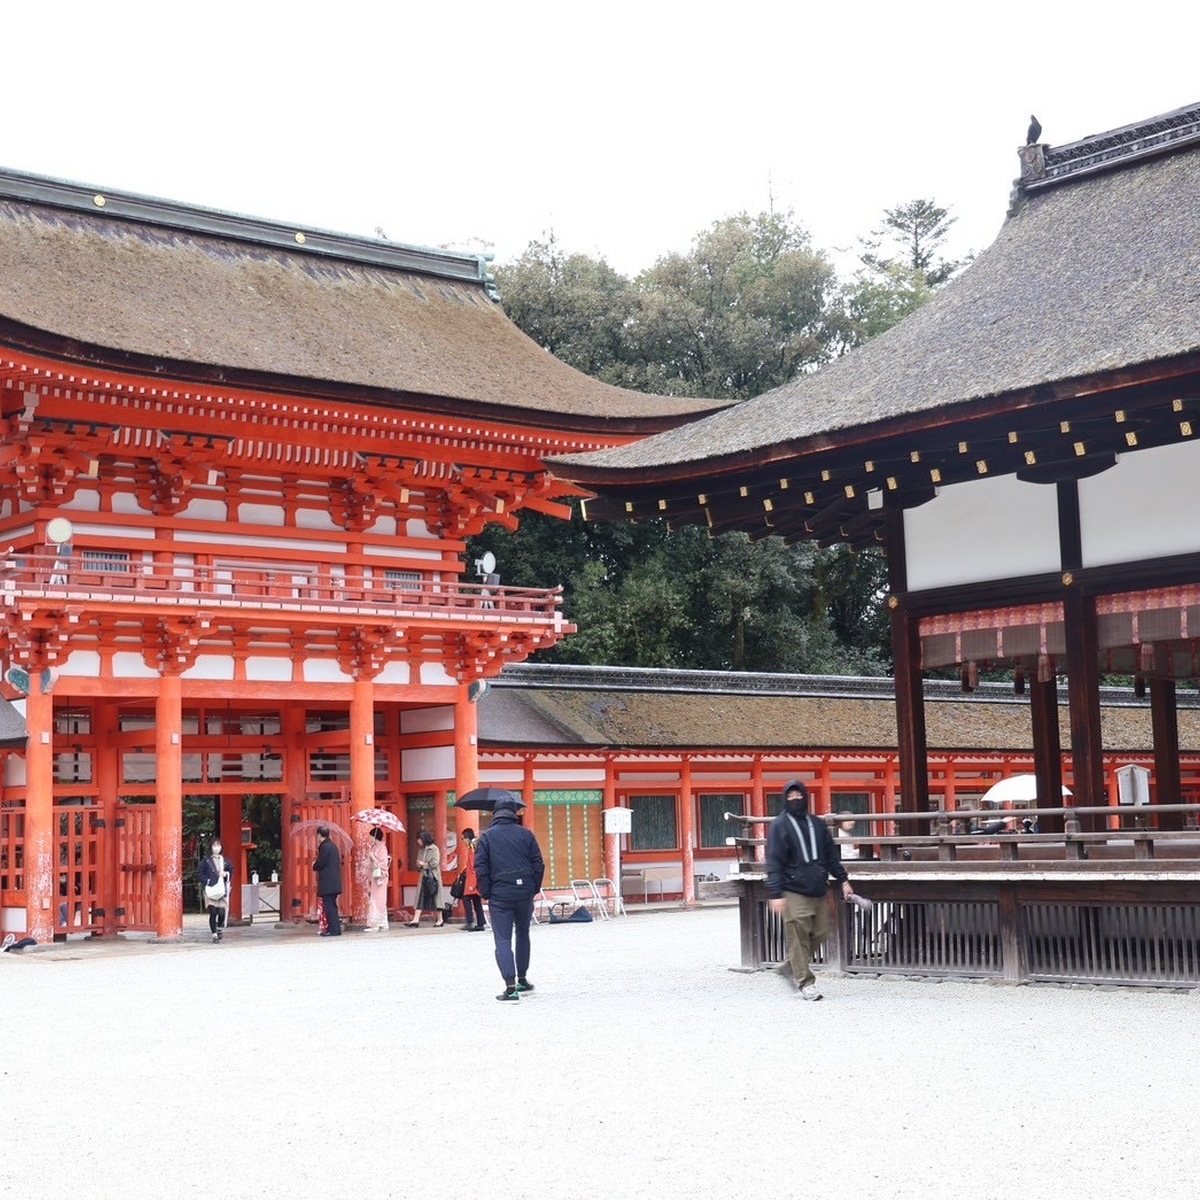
643	1067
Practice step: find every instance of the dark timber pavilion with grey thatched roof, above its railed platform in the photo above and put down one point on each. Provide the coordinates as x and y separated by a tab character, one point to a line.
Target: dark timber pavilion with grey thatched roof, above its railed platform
1025	448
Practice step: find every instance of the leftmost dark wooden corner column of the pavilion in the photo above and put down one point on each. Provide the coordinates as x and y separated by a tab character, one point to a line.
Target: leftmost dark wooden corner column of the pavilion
909	686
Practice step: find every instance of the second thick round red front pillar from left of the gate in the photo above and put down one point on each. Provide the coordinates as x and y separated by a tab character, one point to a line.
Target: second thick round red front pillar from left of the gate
169	881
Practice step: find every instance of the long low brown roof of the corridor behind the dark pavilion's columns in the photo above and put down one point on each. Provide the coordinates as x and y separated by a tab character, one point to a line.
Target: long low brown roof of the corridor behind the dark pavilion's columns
553	707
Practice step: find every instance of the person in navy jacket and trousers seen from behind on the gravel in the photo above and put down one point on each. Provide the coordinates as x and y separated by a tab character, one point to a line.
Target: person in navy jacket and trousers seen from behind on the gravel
509	869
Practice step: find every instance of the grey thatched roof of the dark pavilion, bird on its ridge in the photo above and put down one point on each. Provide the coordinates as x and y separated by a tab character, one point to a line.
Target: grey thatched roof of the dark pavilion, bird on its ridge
1096	273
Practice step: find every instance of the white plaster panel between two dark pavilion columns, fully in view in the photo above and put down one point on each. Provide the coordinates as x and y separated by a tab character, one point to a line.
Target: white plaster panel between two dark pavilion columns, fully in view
987	530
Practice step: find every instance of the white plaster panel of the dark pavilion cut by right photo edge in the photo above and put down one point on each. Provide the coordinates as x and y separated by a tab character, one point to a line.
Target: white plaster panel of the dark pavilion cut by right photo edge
1143	508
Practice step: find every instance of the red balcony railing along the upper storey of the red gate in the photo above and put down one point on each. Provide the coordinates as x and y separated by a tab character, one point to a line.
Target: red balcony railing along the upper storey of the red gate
263	586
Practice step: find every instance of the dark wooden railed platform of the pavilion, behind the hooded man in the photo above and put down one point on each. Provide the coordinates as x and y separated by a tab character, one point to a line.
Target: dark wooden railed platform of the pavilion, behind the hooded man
1120	905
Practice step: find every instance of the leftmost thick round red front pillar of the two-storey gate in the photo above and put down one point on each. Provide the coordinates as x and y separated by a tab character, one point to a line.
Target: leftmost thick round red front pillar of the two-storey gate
41	879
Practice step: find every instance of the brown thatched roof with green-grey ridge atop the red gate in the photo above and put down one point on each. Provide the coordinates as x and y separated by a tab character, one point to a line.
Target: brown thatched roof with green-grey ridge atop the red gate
129	283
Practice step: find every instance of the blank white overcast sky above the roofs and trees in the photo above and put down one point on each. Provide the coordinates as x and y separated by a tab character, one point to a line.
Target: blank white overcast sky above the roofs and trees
626	128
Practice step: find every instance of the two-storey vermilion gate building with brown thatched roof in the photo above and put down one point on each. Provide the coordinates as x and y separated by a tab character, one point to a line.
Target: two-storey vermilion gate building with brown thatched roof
238	466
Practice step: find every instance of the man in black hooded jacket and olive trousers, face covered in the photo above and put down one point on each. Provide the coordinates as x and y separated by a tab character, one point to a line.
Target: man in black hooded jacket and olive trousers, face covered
801	859
